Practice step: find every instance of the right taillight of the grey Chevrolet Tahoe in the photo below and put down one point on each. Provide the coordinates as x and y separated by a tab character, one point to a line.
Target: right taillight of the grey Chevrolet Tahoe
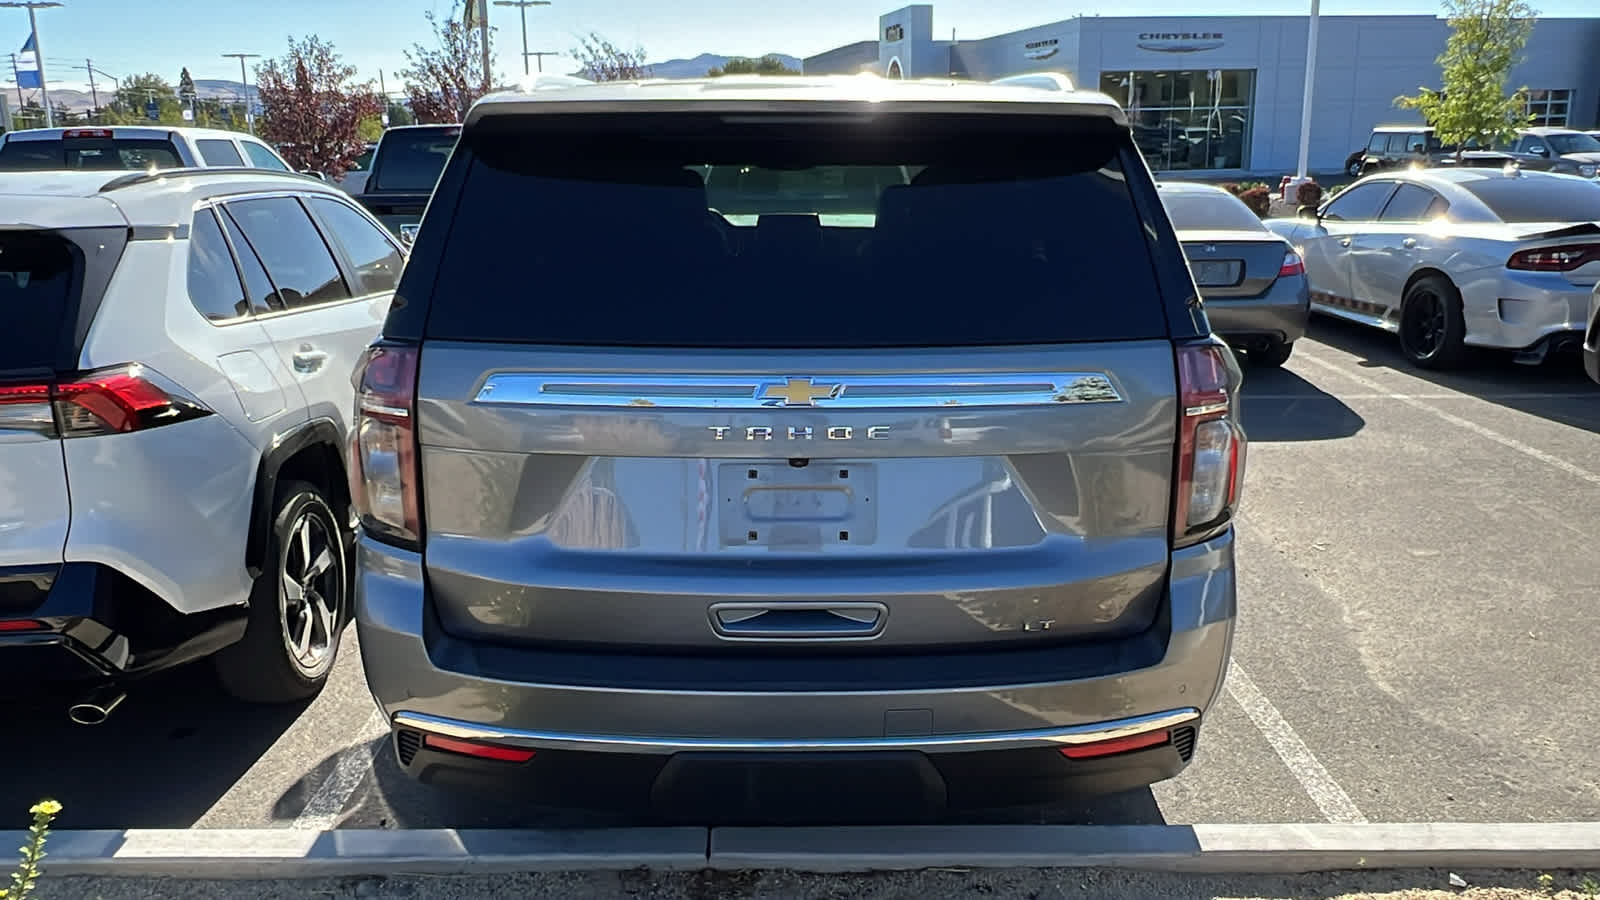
1210	443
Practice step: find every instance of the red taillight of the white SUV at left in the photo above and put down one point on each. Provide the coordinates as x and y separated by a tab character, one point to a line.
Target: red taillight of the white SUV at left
113	401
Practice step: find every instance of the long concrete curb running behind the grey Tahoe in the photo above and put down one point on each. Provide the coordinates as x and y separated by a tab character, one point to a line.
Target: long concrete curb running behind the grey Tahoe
1234	850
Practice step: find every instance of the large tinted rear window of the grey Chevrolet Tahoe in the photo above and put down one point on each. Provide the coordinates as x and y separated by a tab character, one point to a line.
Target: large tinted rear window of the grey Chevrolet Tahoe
694	231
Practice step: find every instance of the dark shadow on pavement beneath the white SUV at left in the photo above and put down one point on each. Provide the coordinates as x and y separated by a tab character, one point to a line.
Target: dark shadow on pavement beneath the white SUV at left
166	757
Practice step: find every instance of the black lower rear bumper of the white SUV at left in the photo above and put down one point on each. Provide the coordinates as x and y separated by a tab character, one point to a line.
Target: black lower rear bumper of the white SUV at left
87	622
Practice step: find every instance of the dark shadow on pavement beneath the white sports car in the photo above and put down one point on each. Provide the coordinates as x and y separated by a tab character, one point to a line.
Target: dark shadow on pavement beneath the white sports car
1489	376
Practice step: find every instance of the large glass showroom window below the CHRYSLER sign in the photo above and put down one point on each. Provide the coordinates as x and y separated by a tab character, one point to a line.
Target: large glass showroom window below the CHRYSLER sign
1188	119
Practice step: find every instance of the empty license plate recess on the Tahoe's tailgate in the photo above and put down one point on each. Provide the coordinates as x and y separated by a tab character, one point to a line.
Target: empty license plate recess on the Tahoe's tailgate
796	507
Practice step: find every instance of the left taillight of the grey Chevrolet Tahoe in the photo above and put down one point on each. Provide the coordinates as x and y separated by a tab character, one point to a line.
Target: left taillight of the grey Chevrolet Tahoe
383	444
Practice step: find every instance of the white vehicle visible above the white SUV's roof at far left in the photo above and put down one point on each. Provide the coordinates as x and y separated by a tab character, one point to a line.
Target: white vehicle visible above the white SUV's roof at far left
134	148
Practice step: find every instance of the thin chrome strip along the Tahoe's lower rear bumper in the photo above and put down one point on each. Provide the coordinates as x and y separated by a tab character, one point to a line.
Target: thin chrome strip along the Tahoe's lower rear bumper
631	744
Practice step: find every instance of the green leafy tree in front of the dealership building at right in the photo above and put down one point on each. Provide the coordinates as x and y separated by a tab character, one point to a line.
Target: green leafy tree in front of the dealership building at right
1487	39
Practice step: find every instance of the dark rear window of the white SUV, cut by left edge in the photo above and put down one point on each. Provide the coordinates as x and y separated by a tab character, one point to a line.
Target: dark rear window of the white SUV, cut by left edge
38	295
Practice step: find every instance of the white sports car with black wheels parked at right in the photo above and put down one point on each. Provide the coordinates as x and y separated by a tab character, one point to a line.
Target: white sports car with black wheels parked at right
1450	259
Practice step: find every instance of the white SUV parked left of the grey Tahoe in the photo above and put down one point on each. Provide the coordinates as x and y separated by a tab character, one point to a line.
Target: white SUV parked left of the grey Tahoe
175	396
